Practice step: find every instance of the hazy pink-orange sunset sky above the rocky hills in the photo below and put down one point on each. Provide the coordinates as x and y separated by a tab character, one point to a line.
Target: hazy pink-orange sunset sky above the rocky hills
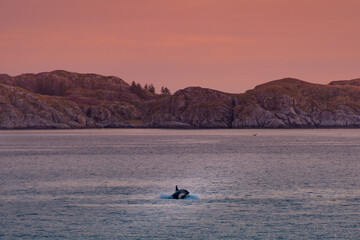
229	45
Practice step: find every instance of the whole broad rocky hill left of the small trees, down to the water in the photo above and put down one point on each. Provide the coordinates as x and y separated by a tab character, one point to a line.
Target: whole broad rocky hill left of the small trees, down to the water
102	101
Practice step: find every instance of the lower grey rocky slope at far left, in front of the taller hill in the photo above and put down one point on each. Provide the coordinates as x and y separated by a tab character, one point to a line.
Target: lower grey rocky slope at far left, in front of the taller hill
20	108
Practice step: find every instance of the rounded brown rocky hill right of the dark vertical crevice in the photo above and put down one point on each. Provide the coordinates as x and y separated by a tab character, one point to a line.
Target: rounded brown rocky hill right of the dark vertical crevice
295	103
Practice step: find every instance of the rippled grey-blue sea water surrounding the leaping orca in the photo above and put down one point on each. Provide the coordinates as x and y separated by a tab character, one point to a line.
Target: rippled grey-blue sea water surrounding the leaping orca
110	184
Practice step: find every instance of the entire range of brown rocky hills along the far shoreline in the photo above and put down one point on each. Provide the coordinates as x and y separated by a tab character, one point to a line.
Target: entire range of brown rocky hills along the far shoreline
62	99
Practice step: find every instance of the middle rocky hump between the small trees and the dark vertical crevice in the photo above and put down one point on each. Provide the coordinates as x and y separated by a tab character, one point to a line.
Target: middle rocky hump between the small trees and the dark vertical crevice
192	107
